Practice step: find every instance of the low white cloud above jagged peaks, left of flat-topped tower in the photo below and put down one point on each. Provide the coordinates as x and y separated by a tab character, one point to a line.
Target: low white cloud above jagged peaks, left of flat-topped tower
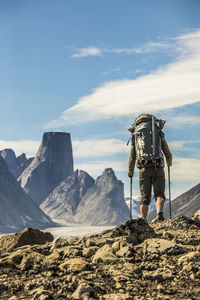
29	147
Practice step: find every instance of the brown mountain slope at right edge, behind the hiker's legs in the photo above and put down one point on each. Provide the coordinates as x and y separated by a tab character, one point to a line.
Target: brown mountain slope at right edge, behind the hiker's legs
186	204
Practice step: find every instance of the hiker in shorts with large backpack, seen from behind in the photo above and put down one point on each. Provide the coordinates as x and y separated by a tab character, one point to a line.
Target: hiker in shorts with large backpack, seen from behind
147	148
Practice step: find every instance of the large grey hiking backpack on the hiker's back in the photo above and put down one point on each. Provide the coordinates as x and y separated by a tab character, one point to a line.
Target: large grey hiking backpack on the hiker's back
146	136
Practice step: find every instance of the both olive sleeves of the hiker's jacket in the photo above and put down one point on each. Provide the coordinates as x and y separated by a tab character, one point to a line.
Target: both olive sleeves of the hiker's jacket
164	147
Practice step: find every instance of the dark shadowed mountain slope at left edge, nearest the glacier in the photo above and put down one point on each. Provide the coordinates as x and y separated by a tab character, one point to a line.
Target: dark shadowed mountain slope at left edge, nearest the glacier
18	210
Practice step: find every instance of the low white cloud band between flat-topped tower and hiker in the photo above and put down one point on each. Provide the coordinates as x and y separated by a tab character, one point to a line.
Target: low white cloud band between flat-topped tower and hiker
99	148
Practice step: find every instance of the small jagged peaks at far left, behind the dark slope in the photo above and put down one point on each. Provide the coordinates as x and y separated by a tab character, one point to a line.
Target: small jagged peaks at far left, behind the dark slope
16	165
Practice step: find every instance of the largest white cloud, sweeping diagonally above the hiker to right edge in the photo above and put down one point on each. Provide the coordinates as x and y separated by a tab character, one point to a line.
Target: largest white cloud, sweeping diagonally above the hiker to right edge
170	86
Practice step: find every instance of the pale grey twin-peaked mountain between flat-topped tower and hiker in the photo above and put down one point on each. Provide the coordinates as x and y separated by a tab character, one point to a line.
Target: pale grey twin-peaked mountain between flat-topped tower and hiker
82	199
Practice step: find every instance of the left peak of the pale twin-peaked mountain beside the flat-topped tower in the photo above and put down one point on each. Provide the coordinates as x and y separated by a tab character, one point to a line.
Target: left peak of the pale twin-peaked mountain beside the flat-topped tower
65	198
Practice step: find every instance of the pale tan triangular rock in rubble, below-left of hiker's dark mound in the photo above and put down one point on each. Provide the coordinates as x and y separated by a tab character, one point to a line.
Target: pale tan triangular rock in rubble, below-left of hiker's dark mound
104	254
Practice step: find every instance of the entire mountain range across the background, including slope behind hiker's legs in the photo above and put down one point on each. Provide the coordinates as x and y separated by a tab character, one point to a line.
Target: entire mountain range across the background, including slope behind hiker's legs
51	187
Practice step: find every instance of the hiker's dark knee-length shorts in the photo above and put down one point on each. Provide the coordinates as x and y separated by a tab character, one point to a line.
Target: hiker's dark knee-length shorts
151	177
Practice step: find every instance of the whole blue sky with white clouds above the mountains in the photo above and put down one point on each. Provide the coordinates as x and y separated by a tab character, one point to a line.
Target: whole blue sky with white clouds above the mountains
89	67
